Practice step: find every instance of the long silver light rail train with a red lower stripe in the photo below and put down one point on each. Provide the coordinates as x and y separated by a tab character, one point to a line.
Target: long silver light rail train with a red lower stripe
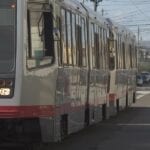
62	67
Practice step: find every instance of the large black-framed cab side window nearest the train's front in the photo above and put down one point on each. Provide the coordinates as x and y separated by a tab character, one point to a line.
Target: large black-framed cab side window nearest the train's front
40	35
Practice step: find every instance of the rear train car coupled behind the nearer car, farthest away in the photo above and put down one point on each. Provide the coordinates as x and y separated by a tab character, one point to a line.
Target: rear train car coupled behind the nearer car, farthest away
122	66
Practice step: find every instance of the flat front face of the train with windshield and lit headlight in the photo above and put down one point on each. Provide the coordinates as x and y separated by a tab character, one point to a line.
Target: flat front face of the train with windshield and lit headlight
10	60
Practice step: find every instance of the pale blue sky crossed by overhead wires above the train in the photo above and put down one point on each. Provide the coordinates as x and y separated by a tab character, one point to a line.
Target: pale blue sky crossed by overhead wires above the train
133	14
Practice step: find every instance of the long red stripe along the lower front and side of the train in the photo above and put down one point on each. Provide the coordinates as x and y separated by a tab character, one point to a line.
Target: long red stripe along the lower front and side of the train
40	111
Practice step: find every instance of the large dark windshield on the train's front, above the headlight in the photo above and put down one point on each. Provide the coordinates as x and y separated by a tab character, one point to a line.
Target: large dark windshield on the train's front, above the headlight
7	35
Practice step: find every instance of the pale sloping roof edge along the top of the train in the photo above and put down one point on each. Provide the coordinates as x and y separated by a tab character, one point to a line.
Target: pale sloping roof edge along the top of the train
95	16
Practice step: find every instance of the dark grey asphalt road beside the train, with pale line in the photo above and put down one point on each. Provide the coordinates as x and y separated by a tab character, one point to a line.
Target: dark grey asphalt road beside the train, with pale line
130	130
